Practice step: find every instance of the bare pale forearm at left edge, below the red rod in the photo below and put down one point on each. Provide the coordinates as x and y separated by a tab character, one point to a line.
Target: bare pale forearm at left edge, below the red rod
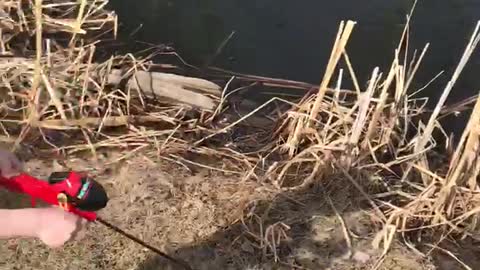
18	222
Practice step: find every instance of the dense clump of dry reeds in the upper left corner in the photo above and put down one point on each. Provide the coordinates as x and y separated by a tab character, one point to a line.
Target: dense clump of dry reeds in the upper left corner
45	65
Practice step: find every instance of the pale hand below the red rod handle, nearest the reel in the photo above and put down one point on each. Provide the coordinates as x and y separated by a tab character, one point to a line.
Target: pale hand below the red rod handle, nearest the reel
57	226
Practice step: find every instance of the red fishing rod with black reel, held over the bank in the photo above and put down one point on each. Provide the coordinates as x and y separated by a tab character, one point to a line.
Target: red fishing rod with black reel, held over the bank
76	193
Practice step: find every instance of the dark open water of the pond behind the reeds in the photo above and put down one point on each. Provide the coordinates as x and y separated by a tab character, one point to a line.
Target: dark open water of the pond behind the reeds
293	39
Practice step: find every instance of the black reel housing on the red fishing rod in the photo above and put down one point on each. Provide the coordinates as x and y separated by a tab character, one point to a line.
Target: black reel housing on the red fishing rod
96	198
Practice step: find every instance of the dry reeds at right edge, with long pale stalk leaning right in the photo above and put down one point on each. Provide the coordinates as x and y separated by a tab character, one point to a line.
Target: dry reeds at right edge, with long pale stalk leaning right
445	202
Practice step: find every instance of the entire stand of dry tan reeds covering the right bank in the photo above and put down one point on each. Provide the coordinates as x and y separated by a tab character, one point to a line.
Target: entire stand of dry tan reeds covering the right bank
375	132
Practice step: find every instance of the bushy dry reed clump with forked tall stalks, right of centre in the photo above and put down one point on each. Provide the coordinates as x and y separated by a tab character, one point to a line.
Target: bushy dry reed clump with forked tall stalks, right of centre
353	129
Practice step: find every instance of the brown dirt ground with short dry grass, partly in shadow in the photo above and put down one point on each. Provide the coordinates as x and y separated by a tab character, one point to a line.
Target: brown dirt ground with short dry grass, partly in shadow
212	221
